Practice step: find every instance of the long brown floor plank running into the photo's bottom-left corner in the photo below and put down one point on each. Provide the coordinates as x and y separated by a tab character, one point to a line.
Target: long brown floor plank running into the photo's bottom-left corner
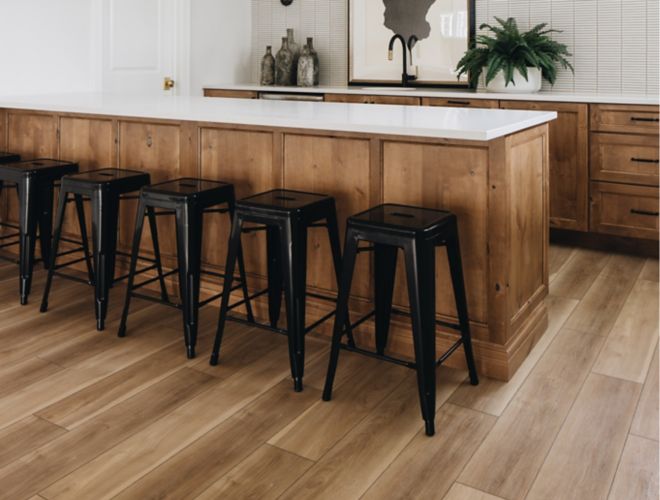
37	470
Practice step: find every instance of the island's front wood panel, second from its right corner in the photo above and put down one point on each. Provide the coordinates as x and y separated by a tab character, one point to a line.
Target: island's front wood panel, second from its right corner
340	168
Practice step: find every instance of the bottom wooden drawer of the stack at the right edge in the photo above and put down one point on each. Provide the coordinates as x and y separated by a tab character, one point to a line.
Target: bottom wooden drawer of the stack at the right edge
624	210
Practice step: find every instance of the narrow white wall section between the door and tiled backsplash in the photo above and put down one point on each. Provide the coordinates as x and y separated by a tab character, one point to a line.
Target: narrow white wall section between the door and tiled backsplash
221	43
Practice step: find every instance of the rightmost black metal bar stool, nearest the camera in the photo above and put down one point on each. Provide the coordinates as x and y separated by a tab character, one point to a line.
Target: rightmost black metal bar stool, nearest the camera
417	231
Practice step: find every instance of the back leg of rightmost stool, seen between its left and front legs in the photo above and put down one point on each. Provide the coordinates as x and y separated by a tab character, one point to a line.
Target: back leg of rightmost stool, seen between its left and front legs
384	274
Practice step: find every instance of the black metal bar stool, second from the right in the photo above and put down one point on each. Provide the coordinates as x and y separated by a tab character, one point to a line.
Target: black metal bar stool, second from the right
286	216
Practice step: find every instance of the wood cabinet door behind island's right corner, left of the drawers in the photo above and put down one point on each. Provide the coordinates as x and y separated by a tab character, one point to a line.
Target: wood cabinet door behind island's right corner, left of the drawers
569	162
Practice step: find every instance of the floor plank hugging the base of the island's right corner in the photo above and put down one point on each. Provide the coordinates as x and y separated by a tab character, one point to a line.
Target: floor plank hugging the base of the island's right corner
492	396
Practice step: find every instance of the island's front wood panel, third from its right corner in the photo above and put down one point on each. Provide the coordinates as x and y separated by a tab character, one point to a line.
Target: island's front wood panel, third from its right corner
246	159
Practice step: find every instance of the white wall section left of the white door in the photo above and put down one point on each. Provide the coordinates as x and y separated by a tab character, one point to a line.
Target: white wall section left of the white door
46	46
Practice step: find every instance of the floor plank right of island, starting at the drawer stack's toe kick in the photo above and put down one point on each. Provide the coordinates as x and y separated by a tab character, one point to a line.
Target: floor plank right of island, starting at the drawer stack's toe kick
599	308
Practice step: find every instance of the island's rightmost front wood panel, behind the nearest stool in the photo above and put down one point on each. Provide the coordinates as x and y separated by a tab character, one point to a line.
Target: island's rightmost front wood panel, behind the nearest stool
449	178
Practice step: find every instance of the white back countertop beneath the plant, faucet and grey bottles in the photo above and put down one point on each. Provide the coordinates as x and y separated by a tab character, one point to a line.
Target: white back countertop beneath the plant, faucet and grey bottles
453	94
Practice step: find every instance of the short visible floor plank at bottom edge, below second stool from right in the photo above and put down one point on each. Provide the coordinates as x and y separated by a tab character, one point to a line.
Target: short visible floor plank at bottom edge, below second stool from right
265	475
